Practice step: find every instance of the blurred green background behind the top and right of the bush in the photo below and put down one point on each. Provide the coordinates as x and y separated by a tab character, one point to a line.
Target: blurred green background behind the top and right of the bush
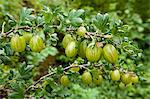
135	13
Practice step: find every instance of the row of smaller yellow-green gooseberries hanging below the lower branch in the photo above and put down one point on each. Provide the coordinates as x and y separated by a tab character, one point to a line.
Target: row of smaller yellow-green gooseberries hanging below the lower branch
115	75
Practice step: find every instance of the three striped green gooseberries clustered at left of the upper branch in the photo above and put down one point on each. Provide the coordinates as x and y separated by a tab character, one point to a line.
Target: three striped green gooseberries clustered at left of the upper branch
18	43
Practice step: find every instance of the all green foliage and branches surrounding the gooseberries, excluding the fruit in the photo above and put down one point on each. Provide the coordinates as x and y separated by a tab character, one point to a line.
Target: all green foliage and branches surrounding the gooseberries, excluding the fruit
37	74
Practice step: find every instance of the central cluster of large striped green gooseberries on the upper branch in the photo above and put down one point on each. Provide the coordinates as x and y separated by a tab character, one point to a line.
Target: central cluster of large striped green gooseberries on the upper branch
92	51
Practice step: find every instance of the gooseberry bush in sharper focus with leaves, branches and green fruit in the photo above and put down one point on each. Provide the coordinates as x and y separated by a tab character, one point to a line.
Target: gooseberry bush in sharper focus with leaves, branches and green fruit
58	53
